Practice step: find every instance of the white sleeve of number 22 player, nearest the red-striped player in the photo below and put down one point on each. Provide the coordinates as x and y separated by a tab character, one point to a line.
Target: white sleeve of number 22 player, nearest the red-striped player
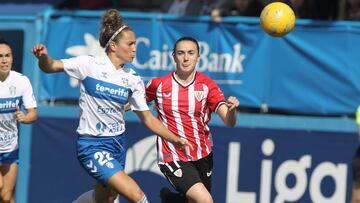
137	100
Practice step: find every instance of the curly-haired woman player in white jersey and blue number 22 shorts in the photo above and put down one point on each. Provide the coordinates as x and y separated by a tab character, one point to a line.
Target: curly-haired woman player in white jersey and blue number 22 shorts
106	86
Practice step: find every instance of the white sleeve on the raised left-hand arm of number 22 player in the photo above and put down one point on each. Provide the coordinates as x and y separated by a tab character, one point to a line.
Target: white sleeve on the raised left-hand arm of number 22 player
75	67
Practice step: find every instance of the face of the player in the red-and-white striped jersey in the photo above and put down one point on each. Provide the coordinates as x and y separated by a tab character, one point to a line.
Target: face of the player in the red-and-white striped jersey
186	56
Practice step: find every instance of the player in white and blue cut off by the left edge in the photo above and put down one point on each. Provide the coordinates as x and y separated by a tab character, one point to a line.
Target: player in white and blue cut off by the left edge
15	91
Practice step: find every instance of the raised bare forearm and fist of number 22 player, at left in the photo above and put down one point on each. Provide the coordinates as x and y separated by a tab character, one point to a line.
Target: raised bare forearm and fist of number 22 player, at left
46	63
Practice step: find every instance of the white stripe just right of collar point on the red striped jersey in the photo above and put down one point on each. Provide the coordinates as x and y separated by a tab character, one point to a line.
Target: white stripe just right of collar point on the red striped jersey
194	124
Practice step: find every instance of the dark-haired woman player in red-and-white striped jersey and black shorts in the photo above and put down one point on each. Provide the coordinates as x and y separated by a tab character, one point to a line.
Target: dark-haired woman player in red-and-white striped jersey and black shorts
184	101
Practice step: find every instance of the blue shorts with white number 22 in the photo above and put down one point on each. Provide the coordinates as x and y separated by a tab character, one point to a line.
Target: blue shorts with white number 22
102	157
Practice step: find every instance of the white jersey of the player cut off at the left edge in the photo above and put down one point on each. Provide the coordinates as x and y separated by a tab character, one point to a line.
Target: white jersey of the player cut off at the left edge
14	91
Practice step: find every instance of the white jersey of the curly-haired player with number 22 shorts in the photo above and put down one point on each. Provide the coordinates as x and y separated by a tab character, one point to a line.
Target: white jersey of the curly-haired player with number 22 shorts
104	91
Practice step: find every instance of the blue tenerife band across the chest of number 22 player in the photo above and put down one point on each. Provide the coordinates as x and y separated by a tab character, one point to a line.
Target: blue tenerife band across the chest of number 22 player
106	91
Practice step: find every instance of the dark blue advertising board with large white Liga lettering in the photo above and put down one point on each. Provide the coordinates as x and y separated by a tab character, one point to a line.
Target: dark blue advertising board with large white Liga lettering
251	164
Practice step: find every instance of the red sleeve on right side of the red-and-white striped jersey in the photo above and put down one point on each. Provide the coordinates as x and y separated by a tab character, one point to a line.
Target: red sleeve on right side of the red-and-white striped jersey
215	96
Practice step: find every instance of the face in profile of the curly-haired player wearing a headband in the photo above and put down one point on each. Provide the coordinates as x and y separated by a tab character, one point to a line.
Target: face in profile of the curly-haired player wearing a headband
125	48
